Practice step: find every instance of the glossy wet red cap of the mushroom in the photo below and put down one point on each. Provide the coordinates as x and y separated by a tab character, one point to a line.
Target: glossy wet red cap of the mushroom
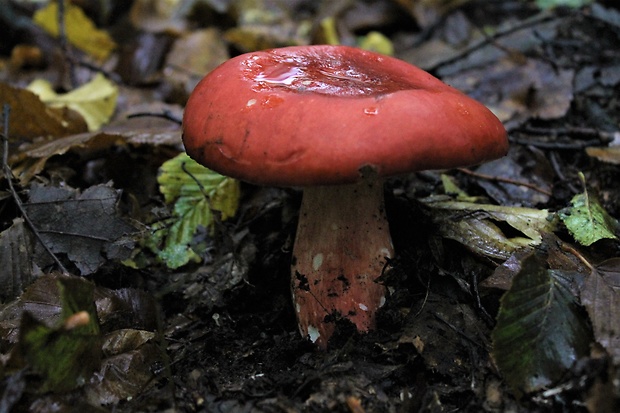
316	115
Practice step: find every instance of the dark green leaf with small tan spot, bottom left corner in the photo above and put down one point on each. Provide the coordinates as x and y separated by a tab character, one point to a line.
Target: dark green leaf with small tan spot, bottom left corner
64	356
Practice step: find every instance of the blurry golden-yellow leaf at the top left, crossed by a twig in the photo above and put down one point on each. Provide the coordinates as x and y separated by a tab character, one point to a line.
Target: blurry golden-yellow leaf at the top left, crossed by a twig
81	31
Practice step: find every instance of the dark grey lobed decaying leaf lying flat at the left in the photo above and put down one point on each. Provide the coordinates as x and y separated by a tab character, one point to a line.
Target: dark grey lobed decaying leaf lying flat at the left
84	226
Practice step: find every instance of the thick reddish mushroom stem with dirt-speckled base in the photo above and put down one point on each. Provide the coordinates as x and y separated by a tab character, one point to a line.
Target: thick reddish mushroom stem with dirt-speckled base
342	244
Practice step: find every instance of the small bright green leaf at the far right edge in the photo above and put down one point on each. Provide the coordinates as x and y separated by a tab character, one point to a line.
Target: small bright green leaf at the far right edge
587	220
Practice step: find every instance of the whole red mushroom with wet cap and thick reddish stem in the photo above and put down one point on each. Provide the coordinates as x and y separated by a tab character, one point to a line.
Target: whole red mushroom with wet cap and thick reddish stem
336	121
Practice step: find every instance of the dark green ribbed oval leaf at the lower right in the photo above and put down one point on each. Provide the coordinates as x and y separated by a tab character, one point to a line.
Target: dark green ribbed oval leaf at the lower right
541	330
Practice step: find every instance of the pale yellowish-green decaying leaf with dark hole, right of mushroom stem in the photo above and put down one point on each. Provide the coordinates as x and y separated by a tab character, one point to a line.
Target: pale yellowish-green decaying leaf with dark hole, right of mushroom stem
478	226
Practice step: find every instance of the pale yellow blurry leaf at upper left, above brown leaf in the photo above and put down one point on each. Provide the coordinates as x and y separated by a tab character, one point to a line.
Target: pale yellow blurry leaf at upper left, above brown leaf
95	100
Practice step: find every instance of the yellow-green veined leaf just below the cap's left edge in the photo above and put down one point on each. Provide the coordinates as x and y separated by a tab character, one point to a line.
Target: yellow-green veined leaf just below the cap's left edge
196	192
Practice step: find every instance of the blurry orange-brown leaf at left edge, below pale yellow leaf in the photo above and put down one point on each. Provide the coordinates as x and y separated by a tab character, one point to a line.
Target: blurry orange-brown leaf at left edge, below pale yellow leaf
31	118
